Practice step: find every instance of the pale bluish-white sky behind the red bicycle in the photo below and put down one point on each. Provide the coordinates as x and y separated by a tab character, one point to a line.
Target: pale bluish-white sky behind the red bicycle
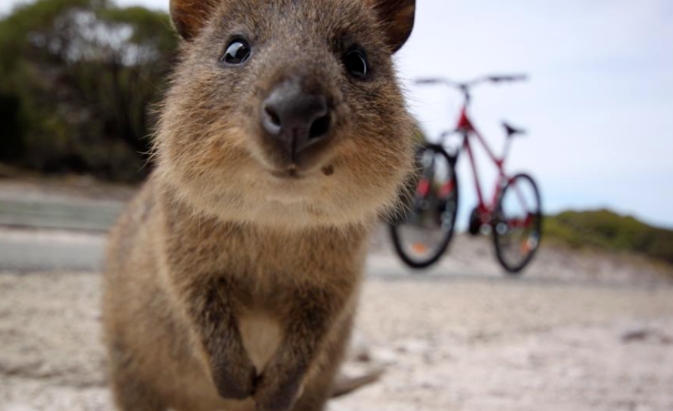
598	106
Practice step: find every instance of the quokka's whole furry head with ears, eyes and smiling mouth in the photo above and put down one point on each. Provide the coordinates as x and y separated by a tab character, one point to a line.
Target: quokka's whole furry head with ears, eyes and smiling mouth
288	111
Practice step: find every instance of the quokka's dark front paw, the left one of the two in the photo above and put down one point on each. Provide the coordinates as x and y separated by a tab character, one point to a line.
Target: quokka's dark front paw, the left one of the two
235	380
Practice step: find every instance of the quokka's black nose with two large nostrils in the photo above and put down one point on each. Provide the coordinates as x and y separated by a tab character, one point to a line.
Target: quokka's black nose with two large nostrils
294	118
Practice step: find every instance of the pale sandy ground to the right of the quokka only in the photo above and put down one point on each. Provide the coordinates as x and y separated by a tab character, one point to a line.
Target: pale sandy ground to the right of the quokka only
480	346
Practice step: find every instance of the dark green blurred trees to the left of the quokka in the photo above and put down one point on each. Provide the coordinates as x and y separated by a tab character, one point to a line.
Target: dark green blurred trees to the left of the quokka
78	83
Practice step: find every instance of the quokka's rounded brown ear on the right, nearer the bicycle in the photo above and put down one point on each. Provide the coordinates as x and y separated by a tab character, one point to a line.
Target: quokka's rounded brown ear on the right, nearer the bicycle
397	19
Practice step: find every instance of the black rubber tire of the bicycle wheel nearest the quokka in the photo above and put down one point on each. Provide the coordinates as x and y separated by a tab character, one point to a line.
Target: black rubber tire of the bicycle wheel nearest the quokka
443	245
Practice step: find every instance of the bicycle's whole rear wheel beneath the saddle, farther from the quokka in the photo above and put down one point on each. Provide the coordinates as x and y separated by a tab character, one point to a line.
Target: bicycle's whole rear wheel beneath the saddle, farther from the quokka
517	227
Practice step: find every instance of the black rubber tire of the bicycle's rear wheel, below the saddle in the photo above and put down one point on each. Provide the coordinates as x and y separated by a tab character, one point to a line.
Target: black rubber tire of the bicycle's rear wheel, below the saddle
510	268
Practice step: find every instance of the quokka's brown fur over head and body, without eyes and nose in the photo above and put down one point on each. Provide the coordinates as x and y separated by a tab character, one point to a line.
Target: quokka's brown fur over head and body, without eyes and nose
232	279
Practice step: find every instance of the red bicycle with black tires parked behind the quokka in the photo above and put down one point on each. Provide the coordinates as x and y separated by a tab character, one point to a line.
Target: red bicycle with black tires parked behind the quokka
514	215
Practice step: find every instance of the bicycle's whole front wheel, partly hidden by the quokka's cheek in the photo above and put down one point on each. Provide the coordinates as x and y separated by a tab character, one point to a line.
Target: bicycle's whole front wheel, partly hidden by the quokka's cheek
424	232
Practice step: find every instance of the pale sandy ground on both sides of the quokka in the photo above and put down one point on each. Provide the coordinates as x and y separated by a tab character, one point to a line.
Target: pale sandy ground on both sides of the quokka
449	343
